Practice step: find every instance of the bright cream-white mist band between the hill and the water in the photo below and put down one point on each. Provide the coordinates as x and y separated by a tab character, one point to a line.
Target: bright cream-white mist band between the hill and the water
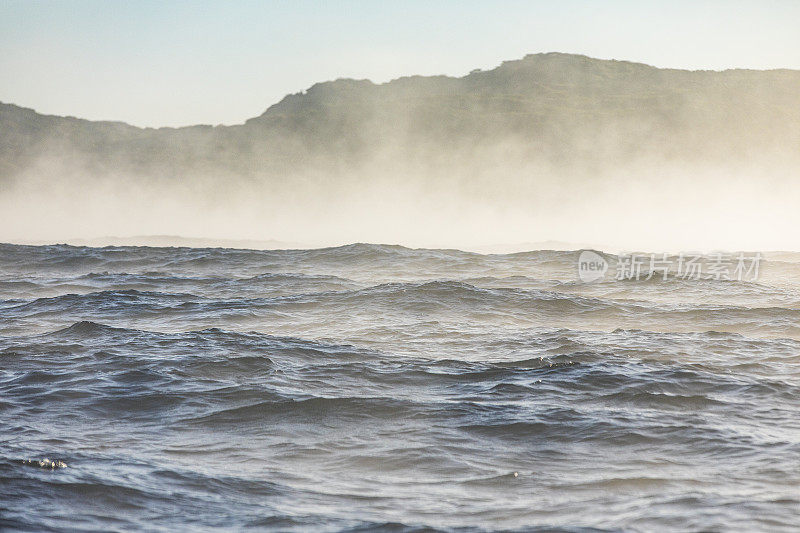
478	204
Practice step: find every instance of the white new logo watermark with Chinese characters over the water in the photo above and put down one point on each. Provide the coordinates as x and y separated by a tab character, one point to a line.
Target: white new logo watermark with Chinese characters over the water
717	266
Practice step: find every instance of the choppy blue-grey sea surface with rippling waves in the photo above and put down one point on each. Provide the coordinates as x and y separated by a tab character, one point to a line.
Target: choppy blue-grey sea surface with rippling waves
378	387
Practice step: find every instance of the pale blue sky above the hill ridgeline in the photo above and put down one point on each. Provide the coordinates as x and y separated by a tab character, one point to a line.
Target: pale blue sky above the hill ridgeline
174	63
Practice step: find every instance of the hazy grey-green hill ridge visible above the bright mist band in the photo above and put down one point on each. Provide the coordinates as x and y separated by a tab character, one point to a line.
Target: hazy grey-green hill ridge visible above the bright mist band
559	110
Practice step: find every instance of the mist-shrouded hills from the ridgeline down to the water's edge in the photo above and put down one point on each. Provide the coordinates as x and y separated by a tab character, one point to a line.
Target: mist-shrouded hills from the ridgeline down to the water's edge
631	157
